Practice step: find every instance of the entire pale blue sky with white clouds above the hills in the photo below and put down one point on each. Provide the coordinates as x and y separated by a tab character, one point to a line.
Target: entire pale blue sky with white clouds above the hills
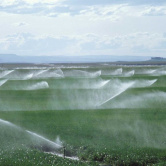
83	27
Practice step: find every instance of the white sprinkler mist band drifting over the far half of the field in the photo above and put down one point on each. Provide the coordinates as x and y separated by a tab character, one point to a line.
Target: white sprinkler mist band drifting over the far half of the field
55	88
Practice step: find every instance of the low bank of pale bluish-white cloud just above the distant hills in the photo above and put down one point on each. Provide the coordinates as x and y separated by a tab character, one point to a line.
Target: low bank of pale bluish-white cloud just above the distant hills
132	44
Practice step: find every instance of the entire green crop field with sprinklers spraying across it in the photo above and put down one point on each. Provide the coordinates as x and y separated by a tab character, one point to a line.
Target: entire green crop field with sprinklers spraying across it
101	114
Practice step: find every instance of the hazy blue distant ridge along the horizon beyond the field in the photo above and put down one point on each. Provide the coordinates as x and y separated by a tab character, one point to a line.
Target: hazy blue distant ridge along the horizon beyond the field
13	58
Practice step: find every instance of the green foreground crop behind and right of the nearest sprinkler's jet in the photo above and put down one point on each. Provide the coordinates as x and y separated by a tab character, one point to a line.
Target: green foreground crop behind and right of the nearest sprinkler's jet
107	136
